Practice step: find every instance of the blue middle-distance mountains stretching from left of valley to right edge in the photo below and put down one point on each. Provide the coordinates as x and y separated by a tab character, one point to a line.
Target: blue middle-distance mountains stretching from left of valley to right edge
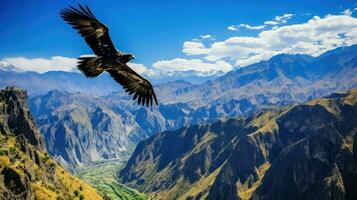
87	122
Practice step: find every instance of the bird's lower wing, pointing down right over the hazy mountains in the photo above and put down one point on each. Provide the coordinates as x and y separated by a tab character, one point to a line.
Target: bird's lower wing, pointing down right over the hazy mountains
134	84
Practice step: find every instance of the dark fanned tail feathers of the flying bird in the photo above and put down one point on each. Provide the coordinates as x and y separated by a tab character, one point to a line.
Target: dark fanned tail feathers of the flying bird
91	66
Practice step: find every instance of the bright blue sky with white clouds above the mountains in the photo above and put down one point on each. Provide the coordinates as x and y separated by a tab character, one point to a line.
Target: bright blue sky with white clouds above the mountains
158	32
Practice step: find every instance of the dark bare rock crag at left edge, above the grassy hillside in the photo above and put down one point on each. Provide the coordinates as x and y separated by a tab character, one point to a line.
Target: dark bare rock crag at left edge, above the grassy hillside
17	118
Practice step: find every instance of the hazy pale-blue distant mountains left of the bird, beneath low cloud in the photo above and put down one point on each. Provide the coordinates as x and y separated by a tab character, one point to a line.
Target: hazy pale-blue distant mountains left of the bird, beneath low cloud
36	83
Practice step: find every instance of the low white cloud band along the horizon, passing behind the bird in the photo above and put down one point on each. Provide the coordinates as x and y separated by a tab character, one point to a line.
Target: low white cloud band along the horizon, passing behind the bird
59	63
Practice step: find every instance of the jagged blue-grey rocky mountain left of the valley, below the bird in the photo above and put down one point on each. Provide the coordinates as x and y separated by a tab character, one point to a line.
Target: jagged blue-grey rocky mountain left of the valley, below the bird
79	129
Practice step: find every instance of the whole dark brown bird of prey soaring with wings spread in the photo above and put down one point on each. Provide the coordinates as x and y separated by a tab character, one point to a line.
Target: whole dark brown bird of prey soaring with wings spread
107	57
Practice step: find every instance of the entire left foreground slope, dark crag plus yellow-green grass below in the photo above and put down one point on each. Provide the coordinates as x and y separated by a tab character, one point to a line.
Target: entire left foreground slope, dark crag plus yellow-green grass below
26	170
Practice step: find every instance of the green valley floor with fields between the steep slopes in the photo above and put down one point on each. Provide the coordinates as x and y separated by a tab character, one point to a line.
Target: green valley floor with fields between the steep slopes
102	176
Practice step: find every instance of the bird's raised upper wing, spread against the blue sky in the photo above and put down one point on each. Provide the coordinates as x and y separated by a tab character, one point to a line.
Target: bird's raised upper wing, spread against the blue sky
92	30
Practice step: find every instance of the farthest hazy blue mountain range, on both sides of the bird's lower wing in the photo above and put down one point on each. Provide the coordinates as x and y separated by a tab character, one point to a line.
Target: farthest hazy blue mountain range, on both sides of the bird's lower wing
41	83
